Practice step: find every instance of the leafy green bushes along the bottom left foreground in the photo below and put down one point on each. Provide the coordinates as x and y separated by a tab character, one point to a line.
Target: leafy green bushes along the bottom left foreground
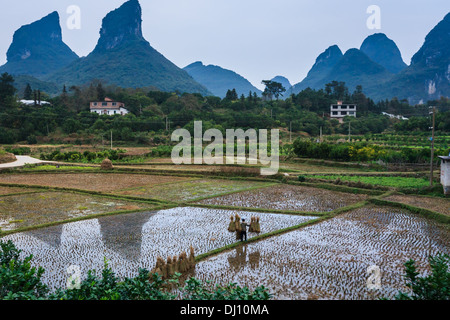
20	281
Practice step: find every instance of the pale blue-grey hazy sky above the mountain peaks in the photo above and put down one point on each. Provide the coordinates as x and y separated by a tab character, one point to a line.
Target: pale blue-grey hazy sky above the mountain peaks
258	39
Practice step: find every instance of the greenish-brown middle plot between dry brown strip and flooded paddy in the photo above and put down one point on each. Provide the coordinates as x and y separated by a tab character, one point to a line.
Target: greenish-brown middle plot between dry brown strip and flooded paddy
190	190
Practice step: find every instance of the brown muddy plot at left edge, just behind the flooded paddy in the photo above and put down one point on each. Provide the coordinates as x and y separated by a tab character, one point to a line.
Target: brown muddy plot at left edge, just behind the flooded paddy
26	210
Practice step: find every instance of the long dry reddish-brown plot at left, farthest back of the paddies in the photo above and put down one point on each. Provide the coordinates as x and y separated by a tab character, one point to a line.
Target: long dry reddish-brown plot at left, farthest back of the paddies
103	182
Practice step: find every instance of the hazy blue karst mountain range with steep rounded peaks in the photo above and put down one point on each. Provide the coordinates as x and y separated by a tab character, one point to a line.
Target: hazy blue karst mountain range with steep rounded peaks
124	58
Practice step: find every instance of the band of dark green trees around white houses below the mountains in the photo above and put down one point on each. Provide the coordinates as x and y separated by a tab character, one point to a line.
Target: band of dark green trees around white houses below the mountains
153	114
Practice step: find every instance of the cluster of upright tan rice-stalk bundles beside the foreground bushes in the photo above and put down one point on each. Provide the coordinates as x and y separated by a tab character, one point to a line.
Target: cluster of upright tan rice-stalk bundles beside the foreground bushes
180	264
